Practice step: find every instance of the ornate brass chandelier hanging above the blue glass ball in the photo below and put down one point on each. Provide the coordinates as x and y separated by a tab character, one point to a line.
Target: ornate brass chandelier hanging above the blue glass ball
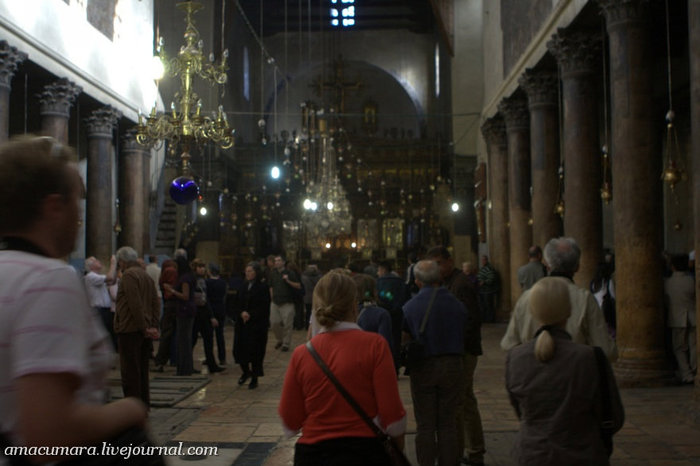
185	124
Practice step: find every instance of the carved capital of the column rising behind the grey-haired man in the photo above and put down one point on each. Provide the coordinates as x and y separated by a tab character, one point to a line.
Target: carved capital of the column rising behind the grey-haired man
575	51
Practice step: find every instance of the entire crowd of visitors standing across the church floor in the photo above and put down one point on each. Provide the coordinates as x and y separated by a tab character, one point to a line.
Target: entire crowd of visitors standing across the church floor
359	321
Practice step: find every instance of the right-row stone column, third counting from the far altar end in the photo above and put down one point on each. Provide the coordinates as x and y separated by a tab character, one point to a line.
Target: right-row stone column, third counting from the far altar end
542	94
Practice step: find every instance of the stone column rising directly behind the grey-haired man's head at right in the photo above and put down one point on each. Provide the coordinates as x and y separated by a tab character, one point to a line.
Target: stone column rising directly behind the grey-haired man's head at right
578	53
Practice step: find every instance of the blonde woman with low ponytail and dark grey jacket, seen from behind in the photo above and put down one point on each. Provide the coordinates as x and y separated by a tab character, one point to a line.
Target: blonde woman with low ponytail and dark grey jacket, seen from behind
556	389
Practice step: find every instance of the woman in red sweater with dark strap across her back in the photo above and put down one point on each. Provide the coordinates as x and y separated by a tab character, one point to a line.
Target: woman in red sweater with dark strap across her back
332	432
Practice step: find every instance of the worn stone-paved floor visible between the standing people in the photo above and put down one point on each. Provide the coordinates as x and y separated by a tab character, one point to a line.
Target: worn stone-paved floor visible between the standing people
662	425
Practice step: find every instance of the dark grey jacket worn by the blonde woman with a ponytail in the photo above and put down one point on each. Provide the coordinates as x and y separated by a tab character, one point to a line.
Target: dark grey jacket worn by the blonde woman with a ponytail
559	405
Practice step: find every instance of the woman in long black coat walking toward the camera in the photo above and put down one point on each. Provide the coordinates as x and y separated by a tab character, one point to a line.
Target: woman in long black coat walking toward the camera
252	324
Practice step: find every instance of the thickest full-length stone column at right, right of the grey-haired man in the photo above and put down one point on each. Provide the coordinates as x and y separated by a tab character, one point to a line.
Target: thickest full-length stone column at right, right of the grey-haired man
636	169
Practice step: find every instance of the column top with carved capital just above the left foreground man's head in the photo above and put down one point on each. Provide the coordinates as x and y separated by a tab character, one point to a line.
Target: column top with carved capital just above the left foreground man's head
56	100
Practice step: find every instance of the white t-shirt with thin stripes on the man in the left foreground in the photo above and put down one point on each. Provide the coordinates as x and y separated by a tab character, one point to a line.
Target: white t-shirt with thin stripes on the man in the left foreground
47	326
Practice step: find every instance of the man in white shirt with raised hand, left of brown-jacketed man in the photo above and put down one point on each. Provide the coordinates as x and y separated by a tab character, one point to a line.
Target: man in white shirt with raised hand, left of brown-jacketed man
98	295
